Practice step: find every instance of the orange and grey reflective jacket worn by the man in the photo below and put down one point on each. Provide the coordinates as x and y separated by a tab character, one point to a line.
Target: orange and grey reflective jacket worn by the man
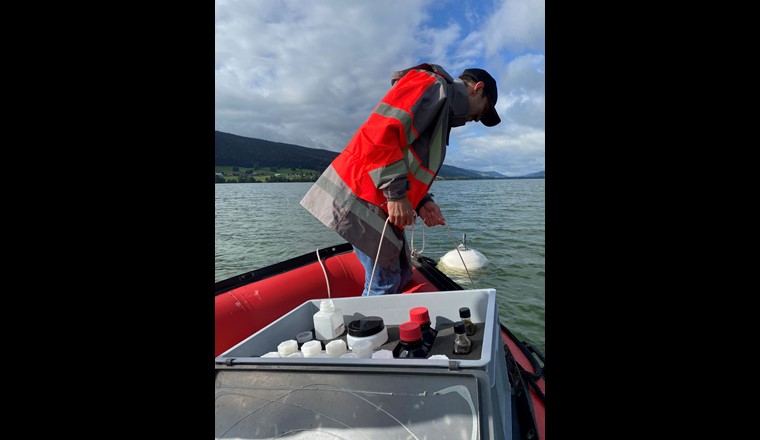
397	151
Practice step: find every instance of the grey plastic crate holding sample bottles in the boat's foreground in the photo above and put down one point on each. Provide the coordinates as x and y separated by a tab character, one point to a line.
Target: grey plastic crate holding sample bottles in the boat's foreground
467	397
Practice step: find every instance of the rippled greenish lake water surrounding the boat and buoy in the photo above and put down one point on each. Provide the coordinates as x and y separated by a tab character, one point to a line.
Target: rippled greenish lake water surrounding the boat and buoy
258	224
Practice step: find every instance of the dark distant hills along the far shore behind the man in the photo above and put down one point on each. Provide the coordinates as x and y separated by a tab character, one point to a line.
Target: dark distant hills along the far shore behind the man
234	150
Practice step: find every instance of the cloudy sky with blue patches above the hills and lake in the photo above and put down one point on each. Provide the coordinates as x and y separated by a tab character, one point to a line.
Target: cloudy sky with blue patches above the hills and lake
309	72
